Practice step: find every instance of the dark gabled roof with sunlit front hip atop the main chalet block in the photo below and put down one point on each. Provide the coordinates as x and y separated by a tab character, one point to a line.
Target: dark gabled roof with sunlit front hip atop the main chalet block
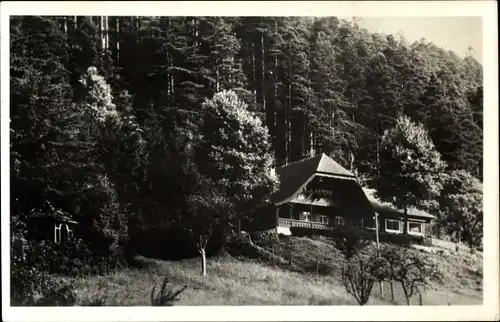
294	175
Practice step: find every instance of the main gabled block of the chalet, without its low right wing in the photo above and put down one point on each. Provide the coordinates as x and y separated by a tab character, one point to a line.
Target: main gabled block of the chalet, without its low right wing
299	201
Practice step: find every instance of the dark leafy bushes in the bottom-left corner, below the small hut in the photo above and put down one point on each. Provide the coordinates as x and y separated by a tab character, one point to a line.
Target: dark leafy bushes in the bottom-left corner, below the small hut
33	262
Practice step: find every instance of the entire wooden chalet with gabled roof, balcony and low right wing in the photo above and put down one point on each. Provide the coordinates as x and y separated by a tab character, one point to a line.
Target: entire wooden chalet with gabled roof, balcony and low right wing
346	203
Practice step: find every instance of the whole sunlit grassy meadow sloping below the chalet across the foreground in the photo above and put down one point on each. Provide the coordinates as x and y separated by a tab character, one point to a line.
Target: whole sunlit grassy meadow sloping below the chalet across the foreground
240	280
